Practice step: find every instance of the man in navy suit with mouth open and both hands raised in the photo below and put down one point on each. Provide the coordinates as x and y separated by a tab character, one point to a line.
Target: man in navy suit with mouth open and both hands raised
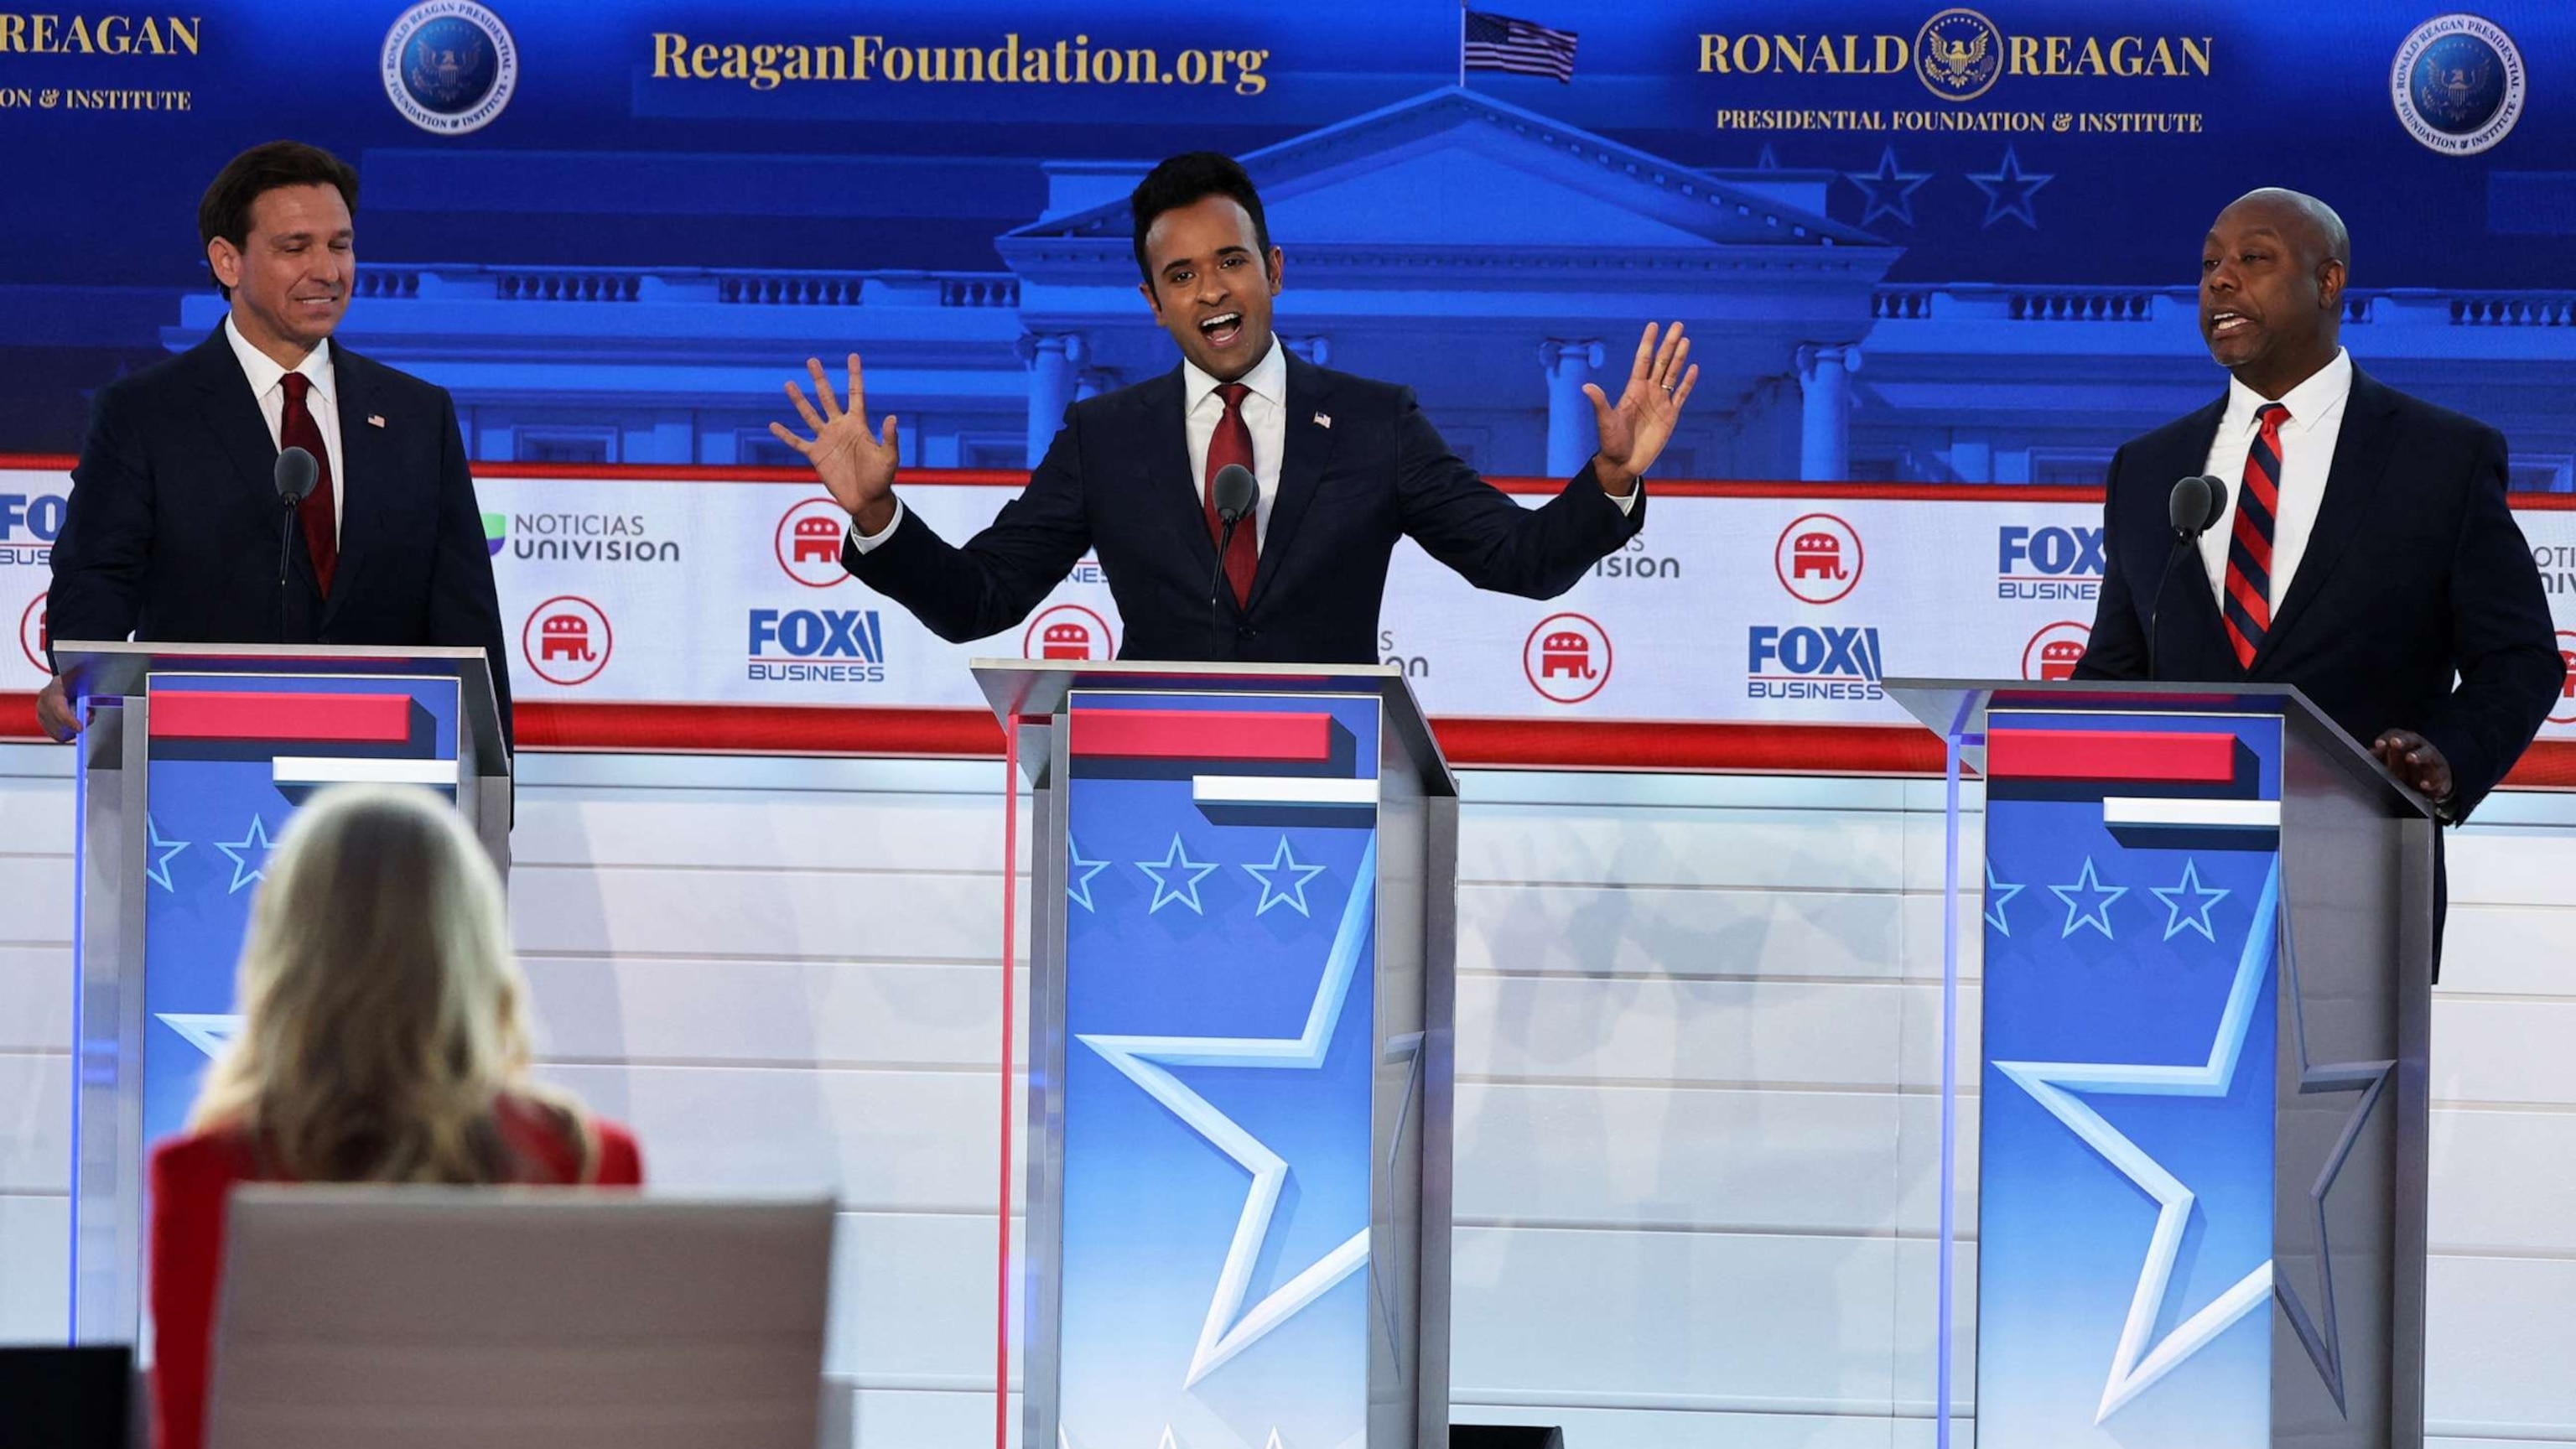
1346	468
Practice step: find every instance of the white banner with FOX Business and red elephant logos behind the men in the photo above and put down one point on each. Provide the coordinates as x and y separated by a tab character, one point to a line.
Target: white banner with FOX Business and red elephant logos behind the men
1730	607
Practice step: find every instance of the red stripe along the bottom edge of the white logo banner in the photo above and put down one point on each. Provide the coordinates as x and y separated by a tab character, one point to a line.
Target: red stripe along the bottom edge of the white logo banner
1482	744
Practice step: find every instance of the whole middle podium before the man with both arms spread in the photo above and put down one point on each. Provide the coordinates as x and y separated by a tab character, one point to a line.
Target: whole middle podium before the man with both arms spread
1240	932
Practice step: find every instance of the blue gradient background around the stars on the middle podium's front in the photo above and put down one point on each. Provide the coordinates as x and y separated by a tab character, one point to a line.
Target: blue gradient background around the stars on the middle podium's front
1150	1205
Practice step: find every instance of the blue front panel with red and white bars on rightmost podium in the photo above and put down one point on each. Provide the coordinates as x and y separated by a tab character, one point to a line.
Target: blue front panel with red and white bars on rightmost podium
2134	901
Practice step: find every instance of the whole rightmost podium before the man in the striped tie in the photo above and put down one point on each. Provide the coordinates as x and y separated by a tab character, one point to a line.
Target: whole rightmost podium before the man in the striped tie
2209	929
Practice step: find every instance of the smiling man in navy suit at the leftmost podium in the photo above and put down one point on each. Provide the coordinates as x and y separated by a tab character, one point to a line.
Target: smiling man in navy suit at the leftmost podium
174	520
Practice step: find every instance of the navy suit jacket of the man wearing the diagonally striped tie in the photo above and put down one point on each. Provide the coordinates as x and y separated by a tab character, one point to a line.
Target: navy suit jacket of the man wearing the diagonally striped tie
2412	576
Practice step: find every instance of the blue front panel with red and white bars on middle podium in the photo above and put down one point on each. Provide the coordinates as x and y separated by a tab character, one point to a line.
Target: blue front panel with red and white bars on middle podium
1220	991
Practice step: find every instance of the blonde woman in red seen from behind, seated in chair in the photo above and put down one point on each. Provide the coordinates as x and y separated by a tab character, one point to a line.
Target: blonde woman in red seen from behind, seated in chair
383	1040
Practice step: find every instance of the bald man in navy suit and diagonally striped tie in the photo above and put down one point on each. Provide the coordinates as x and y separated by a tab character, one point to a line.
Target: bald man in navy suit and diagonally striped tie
2366	553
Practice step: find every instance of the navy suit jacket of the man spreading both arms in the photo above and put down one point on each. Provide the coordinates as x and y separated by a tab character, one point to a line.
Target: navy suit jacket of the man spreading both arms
1119	481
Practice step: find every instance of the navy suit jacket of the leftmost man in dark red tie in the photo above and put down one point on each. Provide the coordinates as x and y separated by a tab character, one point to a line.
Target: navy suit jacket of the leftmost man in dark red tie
171	532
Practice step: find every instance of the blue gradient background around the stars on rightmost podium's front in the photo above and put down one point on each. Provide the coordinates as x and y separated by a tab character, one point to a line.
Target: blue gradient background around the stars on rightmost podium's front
2062	1234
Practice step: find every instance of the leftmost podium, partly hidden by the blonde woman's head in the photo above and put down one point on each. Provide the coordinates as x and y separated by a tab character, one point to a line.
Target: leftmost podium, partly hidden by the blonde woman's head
187	772
